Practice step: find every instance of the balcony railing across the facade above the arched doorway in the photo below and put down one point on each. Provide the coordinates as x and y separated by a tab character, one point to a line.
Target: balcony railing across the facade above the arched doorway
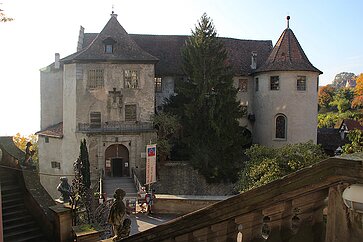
115	127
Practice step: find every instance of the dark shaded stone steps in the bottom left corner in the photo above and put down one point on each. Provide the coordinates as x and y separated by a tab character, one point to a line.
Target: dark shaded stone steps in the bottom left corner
18	223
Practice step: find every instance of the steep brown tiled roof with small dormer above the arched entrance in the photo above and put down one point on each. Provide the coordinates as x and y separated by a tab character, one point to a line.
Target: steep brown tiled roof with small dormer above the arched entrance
125	48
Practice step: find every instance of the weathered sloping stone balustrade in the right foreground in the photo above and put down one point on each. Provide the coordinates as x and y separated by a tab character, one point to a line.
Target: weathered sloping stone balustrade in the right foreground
304	206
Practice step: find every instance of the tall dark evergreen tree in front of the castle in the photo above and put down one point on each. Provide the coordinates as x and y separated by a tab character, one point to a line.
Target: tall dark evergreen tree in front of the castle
207	107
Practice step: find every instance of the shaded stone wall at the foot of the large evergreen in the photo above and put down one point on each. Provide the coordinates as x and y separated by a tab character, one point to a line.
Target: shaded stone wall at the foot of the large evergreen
179	178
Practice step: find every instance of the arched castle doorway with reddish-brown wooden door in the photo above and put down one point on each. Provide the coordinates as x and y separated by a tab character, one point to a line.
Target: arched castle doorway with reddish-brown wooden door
117	161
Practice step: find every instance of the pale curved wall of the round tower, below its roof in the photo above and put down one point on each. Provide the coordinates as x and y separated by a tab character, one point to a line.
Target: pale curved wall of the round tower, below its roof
300	108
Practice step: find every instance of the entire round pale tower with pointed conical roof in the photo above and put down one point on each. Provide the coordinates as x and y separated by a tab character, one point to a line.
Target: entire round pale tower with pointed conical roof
285	100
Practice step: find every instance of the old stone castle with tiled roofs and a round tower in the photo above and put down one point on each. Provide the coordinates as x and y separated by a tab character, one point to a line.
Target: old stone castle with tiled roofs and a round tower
109	89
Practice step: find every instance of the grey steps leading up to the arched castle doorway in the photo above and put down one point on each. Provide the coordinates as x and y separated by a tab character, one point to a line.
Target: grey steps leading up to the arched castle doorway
125	183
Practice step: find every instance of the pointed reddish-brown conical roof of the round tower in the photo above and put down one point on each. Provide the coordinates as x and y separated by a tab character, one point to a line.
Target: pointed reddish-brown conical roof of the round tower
287	55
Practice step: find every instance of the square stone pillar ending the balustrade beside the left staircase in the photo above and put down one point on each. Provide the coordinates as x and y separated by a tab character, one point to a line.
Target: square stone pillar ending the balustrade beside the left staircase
62	220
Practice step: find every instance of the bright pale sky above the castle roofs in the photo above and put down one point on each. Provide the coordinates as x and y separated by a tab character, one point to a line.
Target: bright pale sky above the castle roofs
329	31
